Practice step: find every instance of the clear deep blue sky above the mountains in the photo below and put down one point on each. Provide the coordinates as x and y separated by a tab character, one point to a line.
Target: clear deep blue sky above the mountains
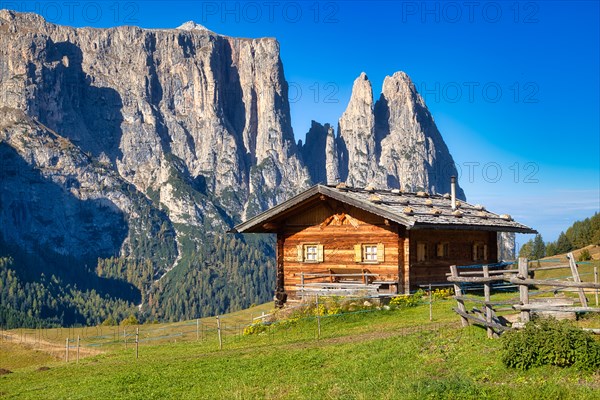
513	86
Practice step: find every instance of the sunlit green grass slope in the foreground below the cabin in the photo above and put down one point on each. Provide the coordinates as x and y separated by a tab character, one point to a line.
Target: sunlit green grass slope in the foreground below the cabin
383	354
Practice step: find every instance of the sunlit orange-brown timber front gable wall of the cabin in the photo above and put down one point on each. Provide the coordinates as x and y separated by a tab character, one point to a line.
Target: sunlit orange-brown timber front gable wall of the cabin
338	237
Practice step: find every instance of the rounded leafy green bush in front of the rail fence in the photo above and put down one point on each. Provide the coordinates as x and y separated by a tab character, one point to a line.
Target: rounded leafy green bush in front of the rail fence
550	342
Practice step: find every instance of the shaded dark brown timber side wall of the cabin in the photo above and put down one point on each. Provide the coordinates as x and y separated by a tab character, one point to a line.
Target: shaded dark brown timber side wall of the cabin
460	252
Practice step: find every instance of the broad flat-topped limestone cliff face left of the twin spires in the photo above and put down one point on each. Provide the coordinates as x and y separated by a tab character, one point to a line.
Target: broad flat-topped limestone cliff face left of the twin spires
216	103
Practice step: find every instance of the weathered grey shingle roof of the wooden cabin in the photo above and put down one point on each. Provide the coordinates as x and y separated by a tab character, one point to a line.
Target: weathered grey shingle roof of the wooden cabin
413	210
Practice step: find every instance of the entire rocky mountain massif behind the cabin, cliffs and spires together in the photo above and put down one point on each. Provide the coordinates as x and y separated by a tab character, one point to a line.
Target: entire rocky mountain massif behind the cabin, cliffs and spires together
125	147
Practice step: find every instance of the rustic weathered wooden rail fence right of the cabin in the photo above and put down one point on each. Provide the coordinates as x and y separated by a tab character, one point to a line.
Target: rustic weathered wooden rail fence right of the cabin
489	276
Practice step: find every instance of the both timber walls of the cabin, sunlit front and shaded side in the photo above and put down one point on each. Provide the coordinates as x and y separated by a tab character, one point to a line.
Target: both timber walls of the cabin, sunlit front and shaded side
339	227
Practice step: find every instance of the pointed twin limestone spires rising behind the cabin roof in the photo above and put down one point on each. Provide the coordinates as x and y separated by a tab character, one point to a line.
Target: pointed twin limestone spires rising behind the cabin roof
393	143
